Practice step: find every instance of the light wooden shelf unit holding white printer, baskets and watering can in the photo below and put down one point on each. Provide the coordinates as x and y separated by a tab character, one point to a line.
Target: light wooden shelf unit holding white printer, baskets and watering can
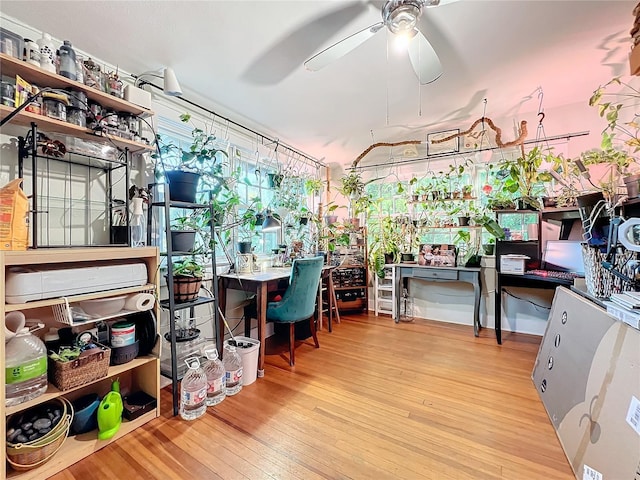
140	374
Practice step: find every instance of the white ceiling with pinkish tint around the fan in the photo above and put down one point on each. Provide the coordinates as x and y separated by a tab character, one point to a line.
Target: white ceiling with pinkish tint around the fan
245	59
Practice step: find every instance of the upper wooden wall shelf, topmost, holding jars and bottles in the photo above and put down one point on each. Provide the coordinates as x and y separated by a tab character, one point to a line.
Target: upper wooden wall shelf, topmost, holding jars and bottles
11	67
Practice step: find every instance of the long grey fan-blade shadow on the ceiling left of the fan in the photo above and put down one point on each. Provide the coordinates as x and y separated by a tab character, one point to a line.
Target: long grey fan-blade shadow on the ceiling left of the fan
282	58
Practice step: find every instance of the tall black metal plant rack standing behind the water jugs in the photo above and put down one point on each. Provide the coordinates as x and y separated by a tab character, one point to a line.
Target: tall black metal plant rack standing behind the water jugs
170	304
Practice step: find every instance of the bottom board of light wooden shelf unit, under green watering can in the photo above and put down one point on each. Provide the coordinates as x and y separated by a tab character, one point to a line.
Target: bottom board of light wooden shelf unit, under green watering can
77	447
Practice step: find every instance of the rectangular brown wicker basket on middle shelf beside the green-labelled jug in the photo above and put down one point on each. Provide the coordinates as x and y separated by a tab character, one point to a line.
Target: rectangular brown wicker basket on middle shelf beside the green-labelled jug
91	365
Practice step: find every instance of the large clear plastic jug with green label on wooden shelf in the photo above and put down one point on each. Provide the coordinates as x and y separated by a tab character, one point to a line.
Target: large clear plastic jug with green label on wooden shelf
26	368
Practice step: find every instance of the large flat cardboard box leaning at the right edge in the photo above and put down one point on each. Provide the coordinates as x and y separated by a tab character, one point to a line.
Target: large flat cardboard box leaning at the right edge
587	374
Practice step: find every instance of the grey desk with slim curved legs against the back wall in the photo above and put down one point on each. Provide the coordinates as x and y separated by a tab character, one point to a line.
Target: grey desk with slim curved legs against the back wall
440	274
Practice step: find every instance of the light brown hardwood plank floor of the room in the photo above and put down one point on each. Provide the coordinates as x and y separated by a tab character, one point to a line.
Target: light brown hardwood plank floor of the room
422	400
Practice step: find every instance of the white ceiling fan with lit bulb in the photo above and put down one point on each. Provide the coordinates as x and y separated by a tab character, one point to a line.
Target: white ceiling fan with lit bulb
401	18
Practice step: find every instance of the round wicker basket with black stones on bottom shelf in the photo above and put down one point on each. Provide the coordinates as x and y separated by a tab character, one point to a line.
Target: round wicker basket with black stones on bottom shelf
25	456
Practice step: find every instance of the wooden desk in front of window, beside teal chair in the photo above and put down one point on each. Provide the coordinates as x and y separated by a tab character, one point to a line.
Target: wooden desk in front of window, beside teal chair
259	283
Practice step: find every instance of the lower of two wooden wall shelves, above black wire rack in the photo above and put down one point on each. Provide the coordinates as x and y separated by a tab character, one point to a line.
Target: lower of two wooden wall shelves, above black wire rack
51	125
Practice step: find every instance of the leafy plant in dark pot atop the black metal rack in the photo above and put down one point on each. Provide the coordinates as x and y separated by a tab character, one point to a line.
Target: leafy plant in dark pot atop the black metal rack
183	167
